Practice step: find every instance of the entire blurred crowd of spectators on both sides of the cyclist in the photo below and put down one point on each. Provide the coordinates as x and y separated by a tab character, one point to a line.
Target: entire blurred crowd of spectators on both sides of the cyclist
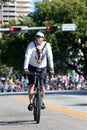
60	82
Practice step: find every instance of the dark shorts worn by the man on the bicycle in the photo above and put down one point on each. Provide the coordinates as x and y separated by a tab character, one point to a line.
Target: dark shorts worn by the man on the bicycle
41	71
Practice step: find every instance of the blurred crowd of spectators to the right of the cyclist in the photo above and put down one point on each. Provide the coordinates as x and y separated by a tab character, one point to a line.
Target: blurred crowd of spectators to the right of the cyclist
67	82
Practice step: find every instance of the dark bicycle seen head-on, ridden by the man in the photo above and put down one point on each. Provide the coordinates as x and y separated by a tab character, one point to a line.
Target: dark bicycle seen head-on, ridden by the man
37	96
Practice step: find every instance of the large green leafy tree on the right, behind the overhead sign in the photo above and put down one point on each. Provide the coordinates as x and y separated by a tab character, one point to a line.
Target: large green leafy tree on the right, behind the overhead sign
67	50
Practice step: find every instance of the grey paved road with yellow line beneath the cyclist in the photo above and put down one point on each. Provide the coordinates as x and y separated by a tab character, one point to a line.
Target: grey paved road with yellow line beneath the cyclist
63	112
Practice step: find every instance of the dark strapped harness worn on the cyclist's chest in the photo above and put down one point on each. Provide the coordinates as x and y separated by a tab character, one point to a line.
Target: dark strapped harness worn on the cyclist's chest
39	53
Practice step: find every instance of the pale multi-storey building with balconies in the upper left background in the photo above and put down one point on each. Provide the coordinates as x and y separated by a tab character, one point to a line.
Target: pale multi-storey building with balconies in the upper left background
13	9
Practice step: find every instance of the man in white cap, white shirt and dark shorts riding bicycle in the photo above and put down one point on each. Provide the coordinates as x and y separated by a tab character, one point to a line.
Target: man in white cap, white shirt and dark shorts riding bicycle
38	54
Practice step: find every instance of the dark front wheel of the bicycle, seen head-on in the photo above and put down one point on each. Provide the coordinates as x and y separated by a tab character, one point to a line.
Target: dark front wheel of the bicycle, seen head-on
38	107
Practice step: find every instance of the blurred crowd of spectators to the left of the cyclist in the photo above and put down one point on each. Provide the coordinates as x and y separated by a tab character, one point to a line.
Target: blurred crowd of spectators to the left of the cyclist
19	83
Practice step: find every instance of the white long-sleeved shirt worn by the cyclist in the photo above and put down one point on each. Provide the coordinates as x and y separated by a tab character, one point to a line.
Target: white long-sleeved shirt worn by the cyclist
31	53
